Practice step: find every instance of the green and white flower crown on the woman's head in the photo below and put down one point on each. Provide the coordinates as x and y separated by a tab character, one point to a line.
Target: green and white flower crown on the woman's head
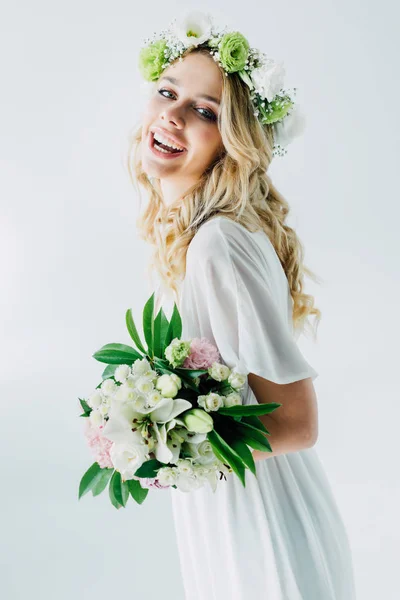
272	104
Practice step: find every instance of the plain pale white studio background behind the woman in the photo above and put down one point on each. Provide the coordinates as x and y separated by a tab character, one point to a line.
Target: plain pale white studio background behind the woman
71	264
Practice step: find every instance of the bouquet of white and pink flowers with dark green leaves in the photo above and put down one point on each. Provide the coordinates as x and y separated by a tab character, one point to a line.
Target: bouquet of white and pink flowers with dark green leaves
168	415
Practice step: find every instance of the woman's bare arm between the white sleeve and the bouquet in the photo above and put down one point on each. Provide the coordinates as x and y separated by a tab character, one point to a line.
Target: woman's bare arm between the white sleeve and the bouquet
294	425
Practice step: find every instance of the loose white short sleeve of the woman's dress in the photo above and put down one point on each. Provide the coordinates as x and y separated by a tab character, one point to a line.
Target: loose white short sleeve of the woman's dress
229	299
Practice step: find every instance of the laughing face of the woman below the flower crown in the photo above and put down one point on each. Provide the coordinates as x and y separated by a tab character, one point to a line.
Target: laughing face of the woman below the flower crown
181	114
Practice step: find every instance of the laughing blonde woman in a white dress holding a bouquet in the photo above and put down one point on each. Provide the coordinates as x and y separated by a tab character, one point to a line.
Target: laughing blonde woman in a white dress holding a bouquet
217	223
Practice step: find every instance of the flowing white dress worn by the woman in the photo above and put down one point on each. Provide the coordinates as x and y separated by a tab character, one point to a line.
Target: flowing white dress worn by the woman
282	536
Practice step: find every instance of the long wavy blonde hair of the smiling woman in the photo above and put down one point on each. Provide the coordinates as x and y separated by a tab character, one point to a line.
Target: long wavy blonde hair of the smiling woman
235	185
